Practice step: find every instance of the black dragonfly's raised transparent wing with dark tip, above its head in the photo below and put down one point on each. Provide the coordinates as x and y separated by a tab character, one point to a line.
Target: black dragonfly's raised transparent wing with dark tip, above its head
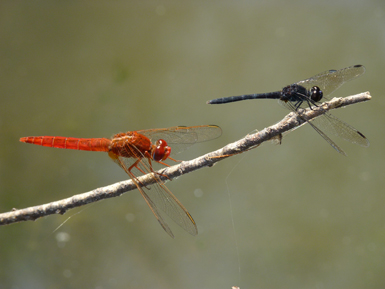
331	80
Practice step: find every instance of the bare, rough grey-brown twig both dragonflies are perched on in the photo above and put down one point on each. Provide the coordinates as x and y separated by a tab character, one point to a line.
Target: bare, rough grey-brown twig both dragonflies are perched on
291	121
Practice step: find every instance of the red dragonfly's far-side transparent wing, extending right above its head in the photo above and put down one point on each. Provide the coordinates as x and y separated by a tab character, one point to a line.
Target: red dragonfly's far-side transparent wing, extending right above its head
182	137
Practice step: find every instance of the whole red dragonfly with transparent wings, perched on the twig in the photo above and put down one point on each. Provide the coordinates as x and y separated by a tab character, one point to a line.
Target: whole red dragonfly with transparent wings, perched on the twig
137	149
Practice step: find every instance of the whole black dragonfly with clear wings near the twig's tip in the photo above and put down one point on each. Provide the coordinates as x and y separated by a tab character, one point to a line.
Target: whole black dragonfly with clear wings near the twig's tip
308	93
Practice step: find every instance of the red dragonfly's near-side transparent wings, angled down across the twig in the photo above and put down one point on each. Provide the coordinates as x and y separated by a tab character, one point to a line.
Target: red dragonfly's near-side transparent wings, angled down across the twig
159	196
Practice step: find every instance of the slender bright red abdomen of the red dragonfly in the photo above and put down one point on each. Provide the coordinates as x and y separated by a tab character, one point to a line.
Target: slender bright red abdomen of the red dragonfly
85	144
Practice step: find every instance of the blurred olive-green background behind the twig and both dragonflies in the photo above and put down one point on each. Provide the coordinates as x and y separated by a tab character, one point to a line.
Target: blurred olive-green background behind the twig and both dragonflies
304	216
